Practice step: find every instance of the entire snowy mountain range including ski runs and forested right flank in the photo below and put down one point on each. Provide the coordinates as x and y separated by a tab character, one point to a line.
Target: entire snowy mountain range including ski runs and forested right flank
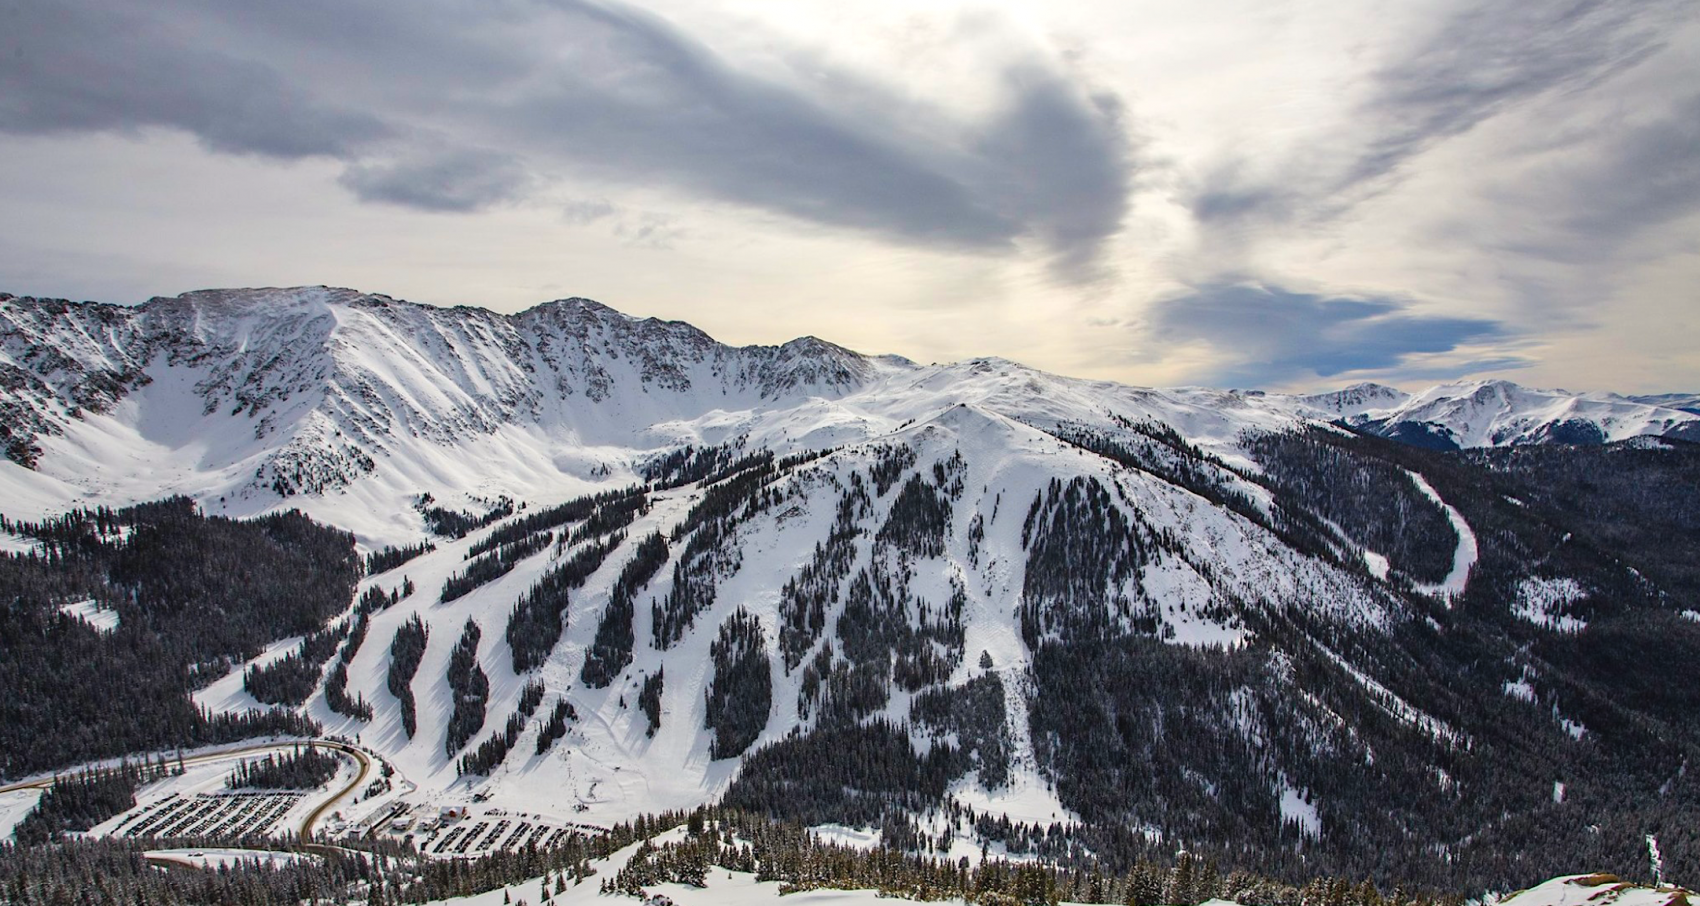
965	604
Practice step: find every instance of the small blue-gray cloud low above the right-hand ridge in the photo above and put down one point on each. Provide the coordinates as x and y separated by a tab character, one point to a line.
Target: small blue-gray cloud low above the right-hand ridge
1269	336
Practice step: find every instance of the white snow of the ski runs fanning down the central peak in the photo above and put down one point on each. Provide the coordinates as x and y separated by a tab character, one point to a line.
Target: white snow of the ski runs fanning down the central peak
609	769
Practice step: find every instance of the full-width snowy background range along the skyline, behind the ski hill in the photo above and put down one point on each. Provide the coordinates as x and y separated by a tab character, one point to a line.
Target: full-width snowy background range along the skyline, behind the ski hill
349	404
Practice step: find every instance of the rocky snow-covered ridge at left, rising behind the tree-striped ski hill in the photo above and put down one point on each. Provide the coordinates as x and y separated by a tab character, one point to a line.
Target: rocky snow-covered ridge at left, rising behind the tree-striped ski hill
242	399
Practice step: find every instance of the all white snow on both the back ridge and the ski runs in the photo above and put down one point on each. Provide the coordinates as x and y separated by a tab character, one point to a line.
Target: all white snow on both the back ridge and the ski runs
570	399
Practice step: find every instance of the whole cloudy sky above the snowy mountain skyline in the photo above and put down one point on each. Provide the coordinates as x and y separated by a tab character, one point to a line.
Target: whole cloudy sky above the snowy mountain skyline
1266	193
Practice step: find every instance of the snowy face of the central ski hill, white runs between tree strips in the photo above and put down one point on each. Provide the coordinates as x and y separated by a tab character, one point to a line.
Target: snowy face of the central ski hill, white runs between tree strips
613	767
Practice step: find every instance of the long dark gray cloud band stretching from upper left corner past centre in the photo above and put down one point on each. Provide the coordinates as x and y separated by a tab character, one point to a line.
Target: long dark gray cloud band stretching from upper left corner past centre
456	106
